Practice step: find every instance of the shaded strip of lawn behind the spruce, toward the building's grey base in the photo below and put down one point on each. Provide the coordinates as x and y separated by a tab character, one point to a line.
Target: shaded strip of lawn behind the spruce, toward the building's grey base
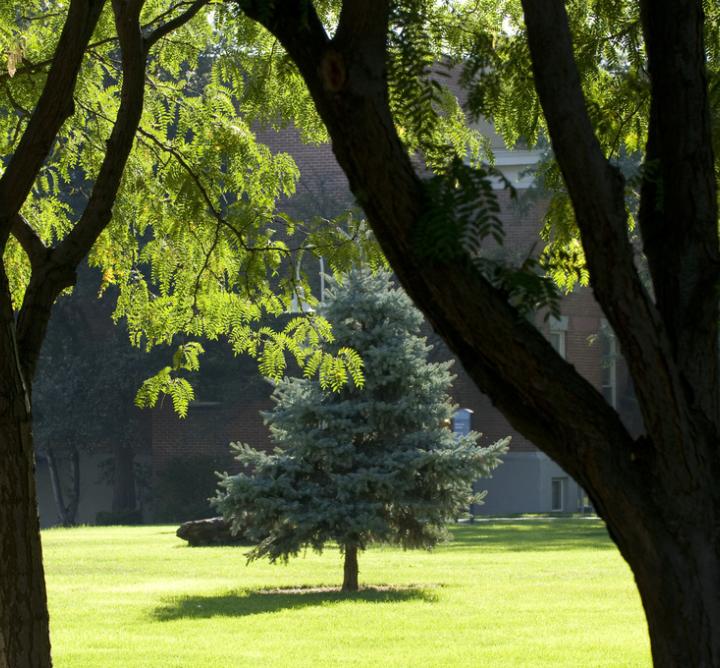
531	535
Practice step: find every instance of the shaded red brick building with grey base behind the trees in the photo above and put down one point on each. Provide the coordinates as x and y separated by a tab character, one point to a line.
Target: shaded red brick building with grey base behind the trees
230	401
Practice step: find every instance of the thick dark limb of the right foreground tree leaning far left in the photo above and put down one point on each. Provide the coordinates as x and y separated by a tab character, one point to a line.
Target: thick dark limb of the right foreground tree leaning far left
540	394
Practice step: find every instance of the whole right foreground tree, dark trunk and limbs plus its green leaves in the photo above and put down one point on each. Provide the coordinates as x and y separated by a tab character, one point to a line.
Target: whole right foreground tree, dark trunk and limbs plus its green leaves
369	71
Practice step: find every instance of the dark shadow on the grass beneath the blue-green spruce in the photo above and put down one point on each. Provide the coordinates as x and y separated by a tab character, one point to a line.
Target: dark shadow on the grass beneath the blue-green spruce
242	603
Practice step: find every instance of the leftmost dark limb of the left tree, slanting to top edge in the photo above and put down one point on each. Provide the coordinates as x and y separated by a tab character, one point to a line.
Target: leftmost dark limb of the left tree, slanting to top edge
54	106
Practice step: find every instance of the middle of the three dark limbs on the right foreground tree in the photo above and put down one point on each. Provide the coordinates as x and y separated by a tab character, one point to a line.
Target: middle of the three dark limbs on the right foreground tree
597	193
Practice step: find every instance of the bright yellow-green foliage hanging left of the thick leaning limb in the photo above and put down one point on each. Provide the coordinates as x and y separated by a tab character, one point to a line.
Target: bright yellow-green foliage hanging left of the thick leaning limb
197	246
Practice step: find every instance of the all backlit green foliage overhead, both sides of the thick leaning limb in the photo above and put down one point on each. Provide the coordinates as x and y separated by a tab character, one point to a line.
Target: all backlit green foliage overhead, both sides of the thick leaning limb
197	246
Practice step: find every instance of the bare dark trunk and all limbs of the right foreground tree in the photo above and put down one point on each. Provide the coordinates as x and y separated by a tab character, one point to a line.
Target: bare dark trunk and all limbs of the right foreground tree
657	493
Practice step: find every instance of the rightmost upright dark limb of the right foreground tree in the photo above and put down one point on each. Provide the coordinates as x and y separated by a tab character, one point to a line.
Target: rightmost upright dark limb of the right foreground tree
679	213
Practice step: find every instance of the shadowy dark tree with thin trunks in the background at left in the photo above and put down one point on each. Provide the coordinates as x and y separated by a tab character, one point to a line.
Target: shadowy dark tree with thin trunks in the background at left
85	384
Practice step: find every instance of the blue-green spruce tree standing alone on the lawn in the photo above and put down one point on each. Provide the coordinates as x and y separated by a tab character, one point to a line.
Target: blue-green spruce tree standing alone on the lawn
363	464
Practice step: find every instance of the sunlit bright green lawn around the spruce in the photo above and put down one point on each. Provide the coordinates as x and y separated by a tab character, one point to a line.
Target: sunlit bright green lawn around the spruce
503	593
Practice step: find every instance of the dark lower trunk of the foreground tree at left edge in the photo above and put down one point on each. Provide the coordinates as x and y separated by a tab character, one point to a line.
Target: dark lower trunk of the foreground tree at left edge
24	634
